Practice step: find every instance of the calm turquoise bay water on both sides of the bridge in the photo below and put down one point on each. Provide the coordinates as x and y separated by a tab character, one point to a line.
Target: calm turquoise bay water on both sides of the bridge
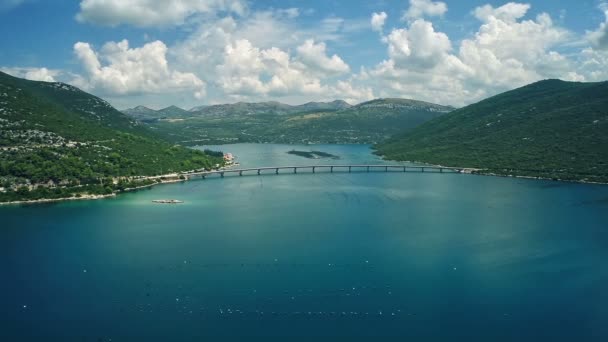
377	256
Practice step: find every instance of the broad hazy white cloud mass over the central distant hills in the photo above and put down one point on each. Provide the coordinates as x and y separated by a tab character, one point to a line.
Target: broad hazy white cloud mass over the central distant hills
263	56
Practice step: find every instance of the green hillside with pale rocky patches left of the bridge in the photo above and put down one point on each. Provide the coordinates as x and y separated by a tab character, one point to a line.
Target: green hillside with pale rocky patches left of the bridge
57	140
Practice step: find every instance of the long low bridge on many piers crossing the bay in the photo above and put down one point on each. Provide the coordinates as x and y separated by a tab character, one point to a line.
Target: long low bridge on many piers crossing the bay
327	169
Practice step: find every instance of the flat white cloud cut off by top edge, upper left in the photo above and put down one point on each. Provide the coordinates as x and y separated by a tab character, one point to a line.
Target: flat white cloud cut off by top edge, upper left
148	13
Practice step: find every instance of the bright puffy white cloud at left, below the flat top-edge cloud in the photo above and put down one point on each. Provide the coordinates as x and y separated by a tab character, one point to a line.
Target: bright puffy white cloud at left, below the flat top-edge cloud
132	70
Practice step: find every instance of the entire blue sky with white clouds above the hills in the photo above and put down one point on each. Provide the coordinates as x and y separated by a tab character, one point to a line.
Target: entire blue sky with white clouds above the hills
199	52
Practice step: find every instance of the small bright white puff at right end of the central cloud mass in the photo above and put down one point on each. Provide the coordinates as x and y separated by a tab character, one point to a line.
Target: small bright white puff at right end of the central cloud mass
315	56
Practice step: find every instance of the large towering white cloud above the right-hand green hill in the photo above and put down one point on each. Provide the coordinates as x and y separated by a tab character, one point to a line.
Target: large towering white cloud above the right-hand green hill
504	53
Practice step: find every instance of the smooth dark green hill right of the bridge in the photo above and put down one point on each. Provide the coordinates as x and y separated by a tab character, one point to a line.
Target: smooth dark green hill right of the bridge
551	129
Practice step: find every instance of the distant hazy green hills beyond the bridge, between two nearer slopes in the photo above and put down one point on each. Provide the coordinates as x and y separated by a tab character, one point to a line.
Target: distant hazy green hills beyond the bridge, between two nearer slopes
314	122
